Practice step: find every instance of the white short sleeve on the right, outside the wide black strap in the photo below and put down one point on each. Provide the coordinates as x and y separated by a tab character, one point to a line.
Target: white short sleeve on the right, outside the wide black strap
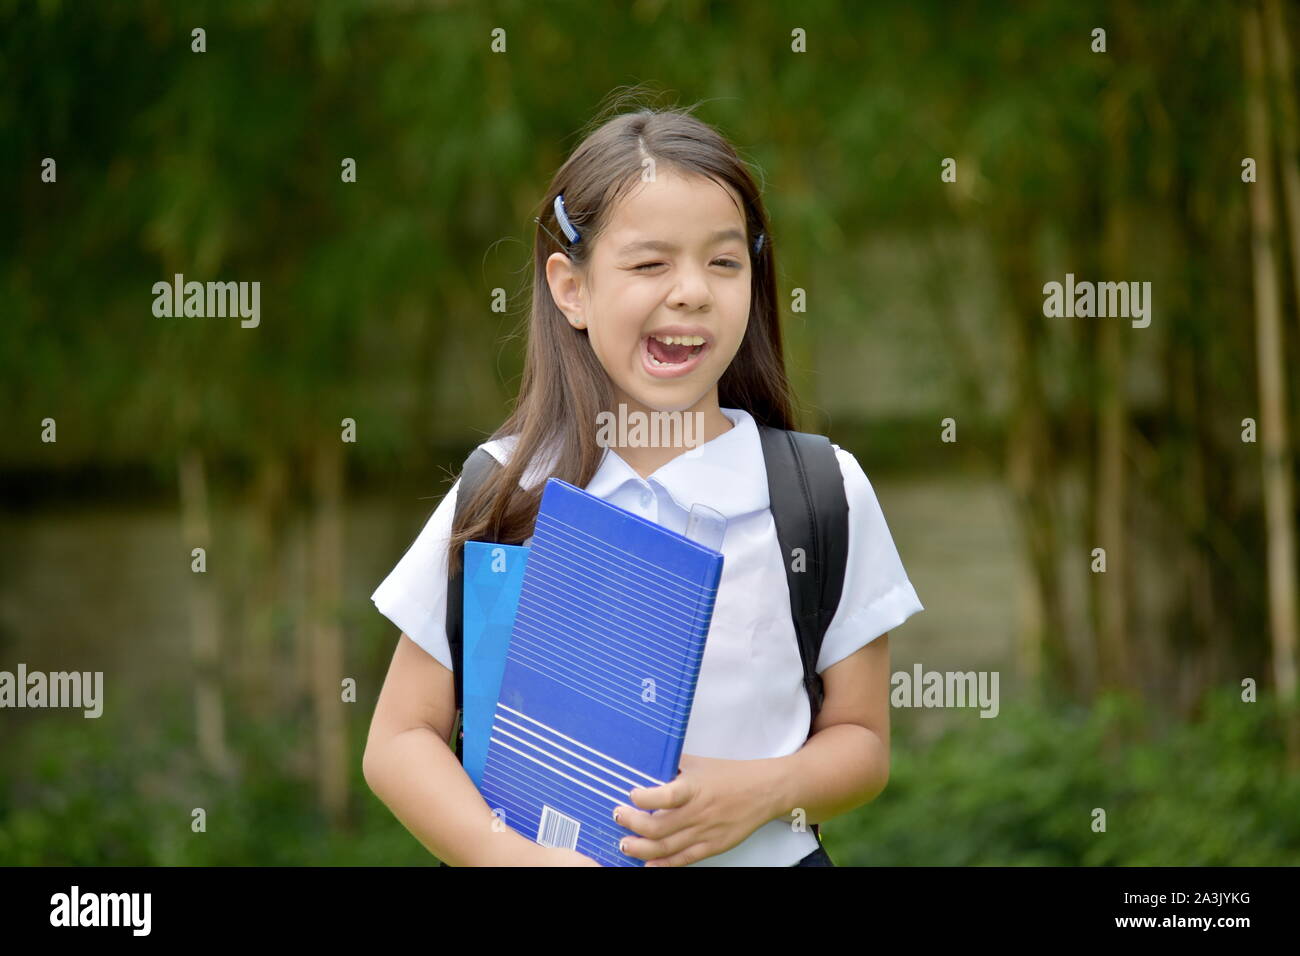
877	595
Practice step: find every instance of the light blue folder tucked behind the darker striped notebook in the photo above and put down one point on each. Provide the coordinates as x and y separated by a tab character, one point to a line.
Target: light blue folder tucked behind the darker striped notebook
493	578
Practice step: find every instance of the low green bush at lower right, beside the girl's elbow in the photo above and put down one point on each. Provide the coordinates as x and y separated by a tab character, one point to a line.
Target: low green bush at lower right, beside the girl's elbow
1021	790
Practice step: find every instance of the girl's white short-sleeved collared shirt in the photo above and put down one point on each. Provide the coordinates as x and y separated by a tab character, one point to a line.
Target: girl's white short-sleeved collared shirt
749	703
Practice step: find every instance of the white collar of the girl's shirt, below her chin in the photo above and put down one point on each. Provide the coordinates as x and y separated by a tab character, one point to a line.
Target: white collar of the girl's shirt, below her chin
727	474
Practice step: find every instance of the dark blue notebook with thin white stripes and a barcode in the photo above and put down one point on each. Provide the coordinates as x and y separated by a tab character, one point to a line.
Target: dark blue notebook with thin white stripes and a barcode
600	674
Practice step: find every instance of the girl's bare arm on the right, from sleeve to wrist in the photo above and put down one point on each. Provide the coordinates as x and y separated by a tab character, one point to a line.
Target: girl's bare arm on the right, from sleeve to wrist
846	762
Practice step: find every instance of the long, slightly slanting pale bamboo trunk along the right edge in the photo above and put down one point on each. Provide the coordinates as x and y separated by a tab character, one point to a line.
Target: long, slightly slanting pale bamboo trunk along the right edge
1273	393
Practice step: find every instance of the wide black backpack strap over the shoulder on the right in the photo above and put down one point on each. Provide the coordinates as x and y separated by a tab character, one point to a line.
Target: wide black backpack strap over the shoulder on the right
812	513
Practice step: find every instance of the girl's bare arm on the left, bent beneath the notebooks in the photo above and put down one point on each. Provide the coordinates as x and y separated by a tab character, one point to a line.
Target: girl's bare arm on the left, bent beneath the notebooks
413	769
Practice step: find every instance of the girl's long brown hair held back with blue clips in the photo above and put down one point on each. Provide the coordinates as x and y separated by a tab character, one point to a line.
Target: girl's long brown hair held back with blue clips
564	386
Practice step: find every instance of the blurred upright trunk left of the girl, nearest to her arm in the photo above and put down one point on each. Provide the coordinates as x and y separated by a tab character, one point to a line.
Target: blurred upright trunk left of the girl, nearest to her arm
327	642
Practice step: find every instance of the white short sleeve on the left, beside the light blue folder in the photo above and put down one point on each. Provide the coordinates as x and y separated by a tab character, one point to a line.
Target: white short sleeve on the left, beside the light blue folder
414	596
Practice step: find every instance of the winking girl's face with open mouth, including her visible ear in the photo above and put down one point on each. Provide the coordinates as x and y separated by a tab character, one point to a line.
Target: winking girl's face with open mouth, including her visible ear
674	261
